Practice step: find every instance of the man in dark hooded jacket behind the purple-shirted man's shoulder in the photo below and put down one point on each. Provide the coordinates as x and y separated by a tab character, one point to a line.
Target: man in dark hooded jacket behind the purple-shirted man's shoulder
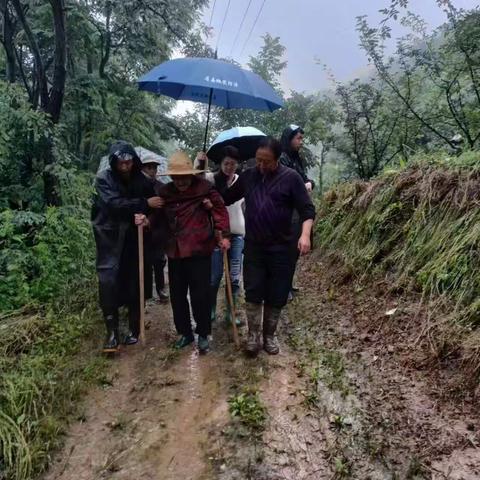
292	142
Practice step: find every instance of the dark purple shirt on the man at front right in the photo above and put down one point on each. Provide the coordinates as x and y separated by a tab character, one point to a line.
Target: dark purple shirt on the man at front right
270	201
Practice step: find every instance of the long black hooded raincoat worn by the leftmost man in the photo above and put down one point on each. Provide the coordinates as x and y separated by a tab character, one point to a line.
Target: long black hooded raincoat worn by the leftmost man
115	205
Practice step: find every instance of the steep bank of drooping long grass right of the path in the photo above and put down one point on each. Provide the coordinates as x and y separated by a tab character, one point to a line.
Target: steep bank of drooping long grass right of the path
421	226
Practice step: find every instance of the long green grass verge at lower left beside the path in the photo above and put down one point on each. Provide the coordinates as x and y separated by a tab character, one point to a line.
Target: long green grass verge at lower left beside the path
42	378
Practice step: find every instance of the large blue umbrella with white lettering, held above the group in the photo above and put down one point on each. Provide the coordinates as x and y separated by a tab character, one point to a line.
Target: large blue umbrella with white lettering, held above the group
211	81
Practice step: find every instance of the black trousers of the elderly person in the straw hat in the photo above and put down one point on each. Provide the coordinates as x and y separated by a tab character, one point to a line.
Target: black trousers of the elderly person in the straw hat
190	275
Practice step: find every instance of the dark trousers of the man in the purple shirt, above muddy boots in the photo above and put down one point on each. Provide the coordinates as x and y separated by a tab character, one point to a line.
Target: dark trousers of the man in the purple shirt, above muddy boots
267	274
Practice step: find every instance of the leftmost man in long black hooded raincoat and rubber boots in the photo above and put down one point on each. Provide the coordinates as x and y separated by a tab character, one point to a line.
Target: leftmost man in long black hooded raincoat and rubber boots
121	192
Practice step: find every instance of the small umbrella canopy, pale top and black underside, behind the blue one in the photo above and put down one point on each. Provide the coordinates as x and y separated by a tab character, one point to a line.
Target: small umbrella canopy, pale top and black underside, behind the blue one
245	139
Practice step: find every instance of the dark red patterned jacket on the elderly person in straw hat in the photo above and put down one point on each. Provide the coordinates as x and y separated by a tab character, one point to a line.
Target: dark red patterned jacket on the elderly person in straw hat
189	226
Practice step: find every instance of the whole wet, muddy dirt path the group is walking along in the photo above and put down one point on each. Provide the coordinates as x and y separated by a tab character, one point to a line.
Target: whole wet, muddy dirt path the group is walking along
347	397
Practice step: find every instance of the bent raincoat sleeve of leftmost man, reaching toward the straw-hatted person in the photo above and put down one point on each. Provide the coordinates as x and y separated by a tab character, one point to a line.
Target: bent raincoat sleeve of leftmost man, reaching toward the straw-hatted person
111	197
